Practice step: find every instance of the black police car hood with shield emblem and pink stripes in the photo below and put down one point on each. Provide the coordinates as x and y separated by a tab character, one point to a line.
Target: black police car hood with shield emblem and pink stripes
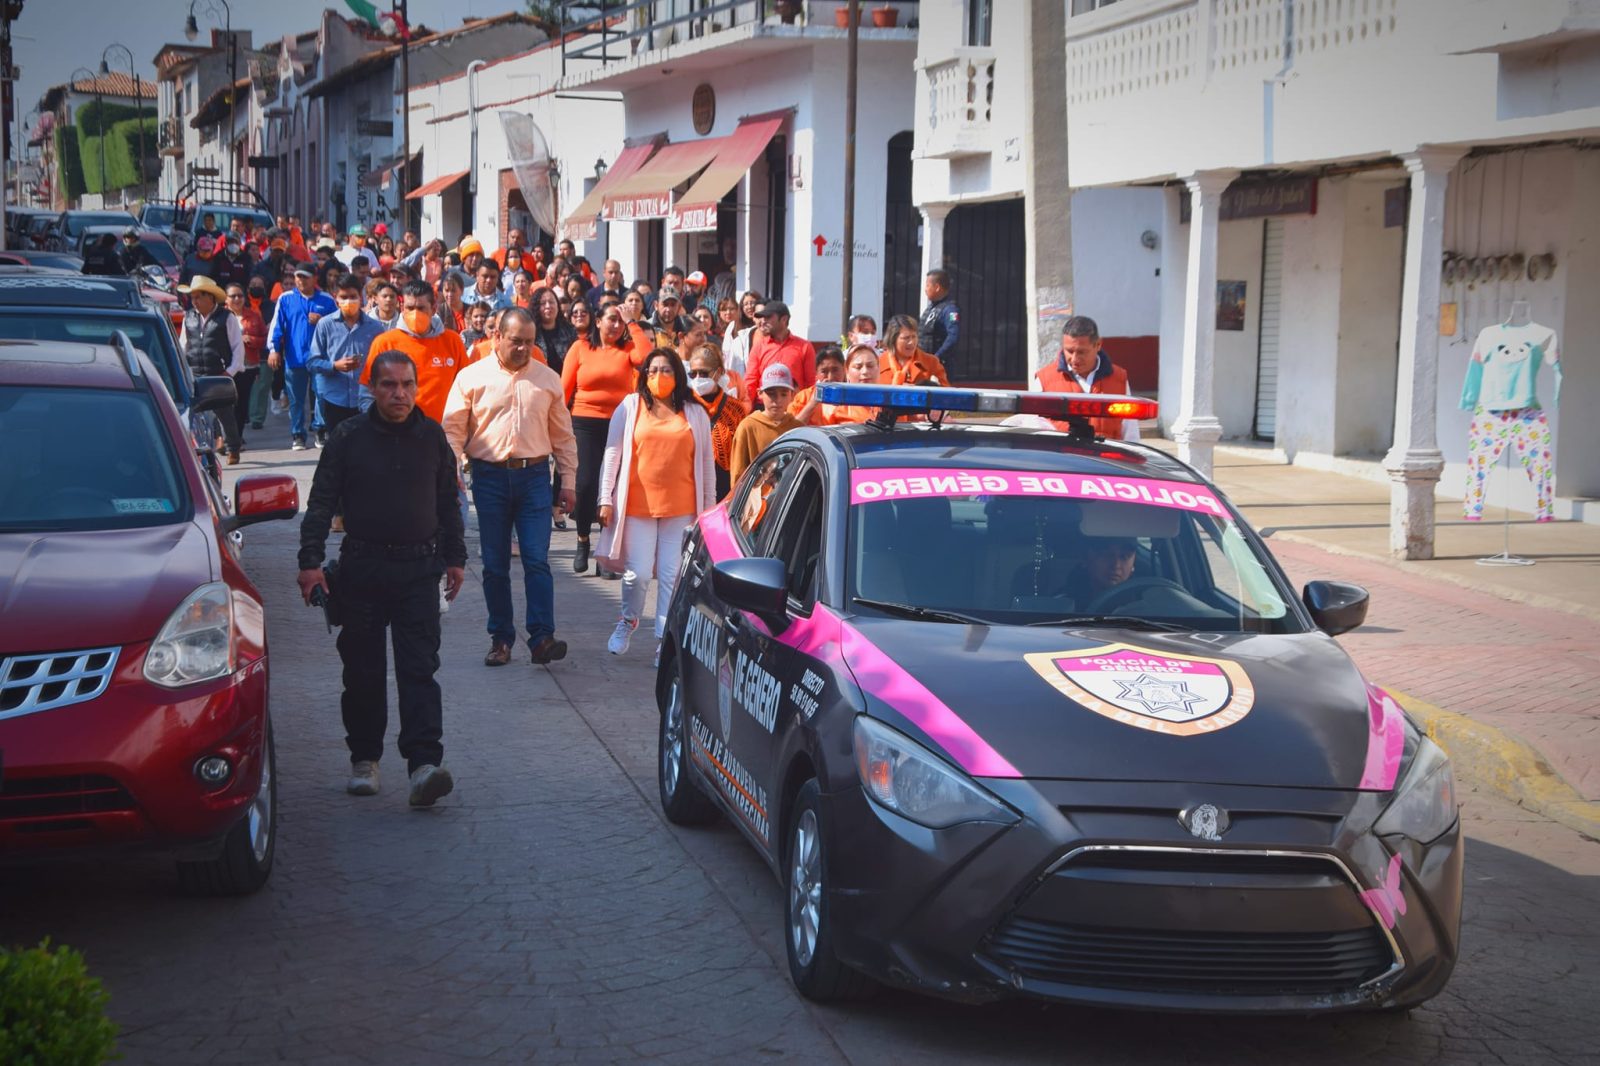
1127	707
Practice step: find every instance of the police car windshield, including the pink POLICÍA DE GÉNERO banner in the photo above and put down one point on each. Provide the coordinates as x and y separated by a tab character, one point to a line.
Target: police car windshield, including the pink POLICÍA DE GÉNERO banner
1030	550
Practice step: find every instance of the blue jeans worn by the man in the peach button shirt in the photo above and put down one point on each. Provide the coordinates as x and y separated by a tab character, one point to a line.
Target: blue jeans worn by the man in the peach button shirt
516	500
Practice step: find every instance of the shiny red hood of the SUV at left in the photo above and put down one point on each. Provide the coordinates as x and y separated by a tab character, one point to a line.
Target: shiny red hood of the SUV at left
62	591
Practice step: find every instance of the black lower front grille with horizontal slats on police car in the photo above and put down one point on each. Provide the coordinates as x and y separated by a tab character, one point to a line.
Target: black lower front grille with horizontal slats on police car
1196	963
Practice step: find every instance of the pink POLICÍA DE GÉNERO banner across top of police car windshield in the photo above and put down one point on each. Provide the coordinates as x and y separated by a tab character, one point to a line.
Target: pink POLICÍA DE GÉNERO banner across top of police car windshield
910	483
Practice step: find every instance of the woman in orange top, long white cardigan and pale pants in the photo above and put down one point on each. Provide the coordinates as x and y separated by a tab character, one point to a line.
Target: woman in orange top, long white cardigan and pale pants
658	476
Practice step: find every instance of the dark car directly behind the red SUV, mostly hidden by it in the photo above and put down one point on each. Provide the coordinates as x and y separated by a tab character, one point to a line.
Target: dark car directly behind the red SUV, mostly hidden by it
39	305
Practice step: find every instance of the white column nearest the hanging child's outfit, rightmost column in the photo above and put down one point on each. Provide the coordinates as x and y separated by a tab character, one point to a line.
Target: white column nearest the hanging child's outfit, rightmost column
1415	460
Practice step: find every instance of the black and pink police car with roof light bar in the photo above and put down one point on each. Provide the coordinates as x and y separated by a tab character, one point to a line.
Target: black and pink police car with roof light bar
1014	711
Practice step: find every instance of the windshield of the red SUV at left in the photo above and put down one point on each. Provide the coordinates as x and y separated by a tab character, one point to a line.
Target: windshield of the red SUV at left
113	471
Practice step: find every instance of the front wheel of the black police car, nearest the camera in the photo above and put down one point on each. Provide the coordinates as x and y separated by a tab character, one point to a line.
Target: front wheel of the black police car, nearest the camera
809	932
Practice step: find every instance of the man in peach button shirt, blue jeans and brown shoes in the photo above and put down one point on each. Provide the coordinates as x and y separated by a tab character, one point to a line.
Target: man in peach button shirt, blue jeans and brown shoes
508	419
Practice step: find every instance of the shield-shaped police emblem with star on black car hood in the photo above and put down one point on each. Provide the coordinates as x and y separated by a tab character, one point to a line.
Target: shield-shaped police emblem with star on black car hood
1151	691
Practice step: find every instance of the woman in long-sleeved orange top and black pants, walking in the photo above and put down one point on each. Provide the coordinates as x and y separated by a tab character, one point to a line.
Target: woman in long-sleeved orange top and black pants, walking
596	377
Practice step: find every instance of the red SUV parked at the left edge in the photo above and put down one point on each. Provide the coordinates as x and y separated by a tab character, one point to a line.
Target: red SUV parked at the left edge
134	649
